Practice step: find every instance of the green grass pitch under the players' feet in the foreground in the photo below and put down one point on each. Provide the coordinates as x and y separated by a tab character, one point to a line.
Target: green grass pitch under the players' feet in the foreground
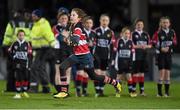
46	101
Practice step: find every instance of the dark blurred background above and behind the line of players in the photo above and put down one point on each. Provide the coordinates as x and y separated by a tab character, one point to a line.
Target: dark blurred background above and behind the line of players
122	13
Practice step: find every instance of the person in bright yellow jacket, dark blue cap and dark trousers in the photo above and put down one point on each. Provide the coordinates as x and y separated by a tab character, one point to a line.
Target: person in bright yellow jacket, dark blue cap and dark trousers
42	39
